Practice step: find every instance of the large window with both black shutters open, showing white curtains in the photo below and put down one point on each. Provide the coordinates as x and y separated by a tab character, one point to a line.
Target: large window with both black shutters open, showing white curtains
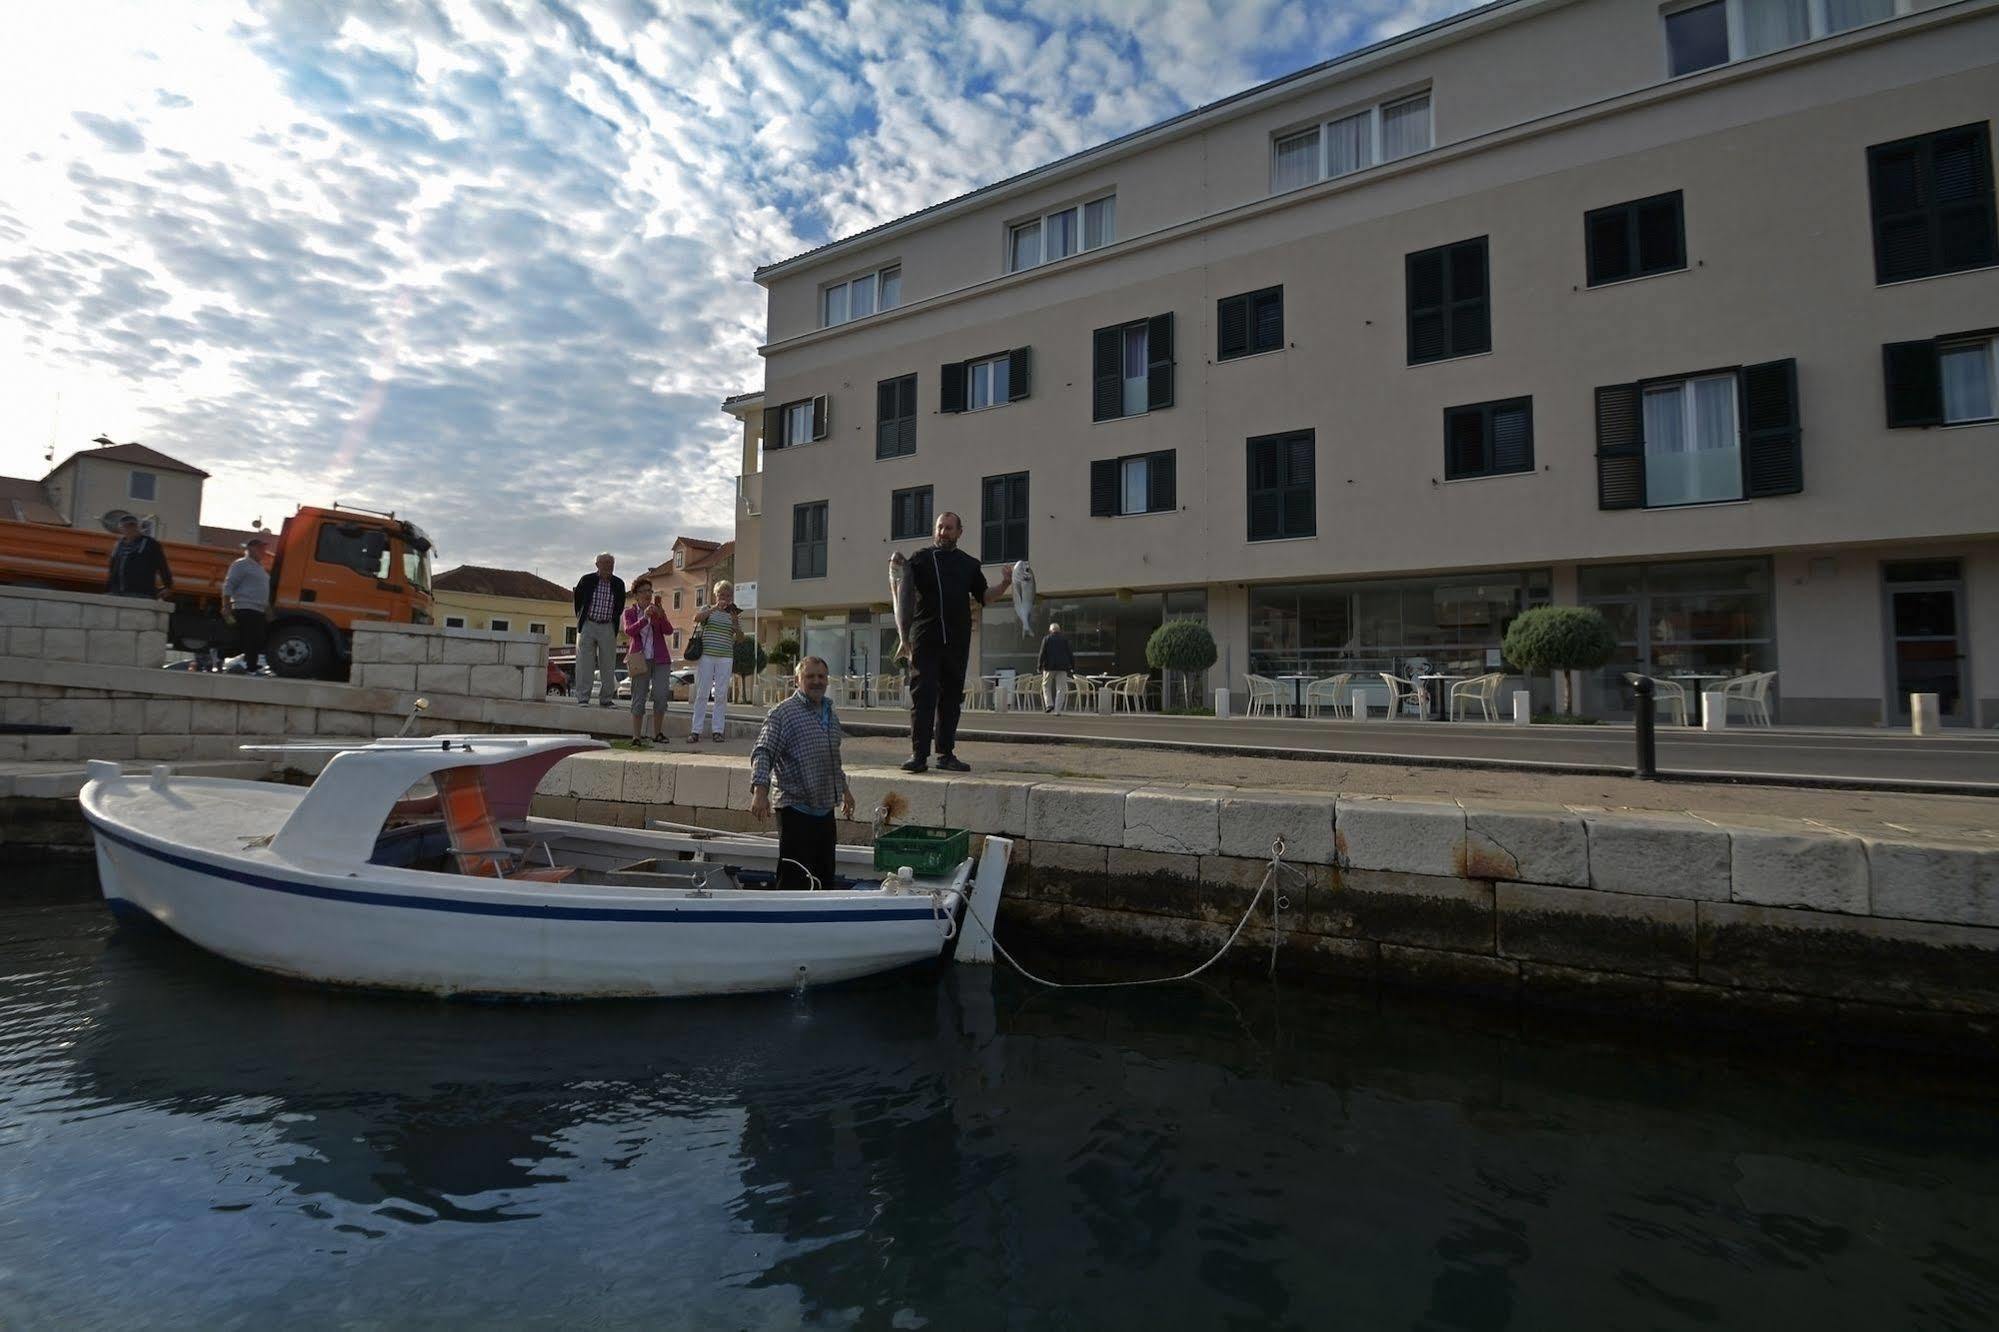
1700	439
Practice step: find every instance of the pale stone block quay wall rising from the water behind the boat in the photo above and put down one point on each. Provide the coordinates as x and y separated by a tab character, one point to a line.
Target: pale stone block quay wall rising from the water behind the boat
1638	919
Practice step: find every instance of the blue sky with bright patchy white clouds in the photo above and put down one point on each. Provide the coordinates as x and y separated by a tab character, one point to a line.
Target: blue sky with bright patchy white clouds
487	263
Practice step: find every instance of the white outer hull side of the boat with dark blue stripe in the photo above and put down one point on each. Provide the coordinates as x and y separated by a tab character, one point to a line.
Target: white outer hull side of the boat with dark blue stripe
455	935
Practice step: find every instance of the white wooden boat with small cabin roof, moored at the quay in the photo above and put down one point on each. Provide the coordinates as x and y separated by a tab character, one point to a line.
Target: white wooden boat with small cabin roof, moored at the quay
413	865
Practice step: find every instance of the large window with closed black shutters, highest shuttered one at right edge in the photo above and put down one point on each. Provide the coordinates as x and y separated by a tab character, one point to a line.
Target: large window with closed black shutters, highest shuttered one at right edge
1934	205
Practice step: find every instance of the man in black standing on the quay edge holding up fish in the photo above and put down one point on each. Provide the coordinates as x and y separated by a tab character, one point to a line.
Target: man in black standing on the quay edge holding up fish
943	585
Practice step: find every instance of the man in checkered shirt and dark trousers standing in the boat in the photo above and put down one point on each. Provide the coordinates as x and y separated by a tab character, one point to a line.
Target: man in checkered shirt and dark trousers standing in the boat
801	745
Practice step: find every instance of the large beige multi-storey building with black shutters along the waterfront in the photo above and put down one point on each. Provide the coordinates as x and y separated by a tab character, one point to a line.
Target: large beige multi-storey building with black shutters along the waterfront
1676	311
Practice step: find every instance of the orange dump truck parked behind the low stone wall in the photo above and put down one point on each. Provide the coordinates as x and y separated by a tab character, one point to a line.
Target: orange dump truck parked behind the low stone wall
329	569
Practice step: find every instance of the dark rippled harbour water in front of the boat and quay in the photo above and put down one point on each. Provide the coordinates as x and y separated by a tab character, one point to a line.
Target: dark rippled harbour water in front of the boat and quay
191	1145
